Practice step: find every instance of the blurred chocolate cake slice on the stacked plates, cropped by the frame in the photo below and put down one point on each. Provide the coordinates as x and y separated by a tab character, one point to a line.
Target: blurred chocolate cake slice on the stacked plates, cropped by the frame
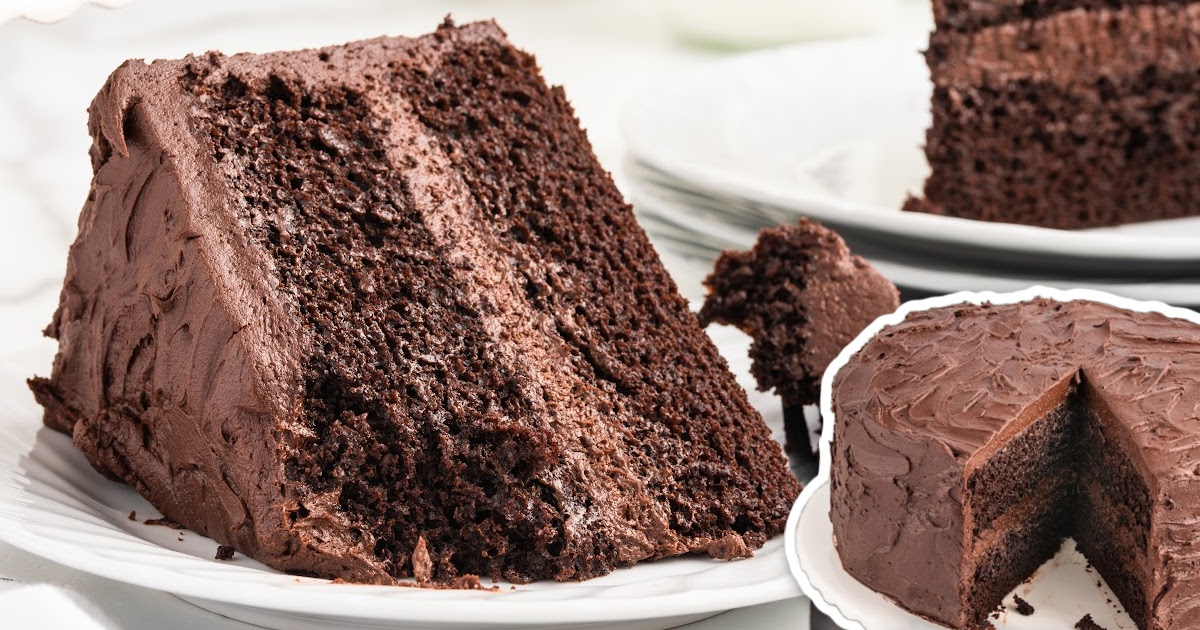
1064	113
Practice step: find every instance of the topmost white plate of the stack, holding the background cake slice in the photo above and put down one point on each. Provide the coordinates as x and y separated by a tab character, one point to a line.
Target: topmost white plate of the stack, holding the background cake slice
835	131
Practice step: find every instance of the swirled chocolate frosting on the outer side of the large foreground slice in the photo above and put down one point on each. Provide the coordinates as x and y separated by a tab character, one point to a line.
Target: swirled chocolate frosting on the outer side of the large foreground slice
176	353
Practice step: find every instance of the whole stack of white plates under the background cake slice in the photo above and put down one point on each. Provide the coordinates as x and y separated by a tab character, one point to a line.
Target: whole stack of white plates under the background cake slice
835	133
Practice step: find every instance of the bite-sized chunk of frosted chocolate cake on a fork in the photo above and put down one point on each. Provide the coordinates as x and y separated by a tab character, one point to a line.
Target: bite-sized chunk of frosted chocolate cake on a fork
803	297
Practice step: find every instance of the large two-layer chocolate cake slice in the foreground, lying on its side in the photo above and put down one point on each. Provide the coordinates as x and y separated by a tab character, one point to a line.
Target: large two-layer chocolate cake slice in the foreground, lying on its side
376	309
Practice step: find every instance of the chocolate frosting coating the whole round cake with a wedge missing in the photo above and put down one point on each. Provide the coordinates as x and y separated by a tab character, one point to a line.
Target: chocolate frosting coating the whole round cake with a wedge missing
925	401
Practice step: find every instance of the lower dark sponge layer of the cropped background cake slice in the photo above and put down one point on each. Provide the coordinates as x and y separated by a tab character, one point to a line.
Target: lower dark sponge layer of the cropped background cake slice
1037	155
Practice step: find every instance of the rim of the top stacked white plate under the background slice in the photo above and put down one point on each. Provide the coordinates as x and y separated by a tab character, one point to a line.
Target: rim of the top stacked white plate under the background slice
1093	245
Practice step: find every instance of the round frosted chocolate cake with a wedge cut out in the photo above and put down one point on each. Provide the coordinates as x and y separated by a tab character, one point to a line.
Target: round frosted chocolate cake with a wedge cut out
971	440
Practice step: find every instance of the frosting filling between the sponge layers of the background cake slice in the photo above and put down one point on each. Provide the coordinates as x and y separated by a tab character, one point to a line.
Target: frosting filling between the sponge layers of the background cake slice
1073	50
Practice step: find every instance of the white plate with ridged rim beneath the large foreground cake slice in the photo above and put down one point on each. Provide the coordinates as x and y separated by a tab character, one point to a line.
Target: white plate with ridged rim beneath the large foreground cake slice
56	506
